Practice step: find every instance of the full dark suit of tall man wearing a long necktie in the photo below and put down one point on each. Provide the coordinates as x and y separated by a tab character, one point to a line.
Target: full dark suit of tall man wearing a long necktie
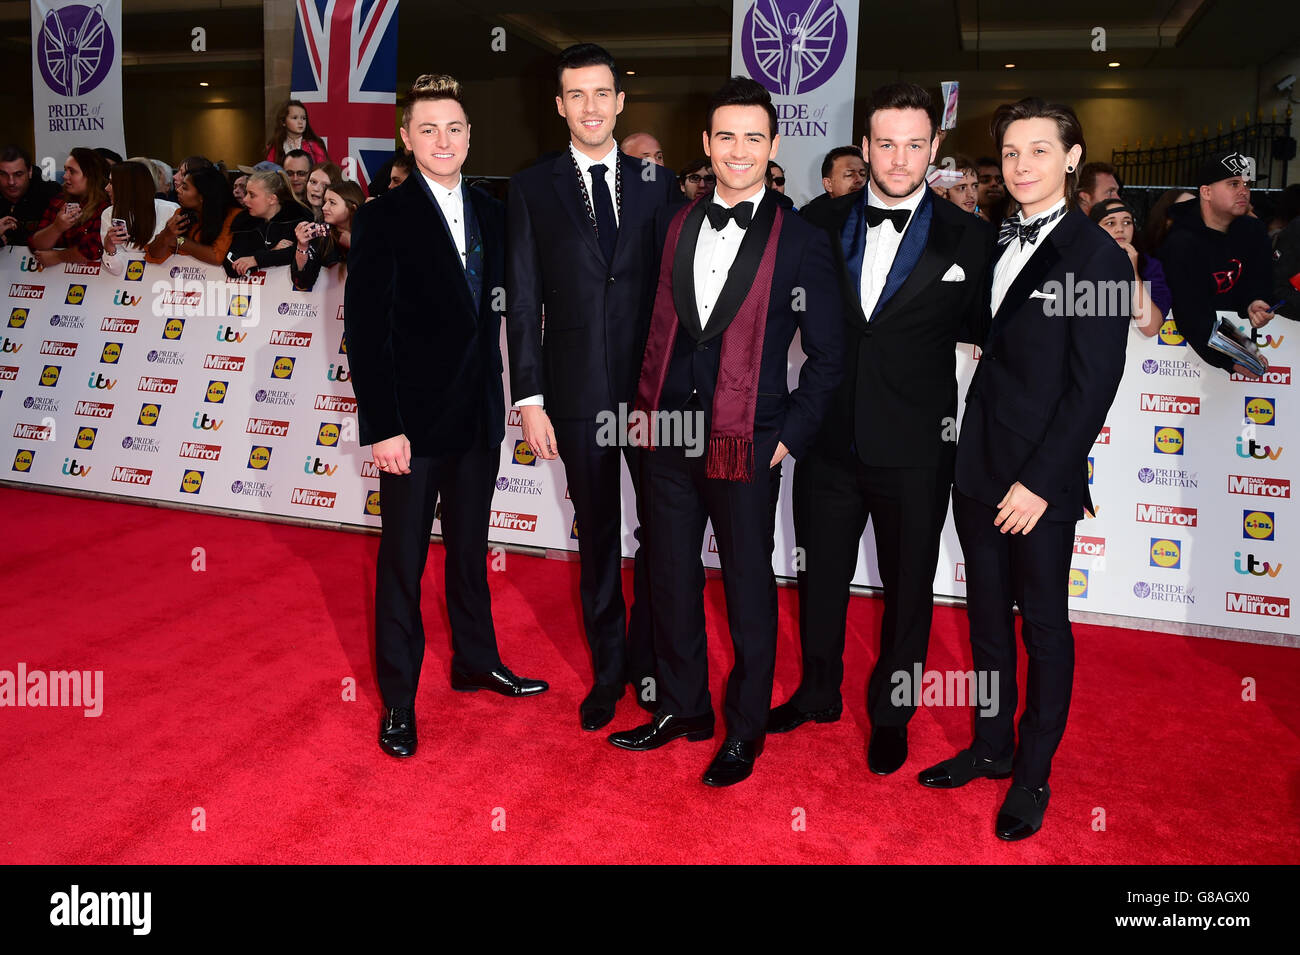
587	363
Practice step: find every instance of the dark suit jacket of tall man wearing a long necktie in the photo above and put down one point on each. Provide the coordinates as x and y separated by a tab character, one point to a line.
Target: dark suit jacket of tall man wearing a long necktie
597	314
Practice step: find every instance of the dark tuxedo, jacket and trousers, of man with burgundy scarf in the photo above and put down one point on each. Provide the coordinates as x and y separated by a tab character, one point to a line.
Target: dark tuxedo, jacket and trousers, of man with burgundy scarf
682	497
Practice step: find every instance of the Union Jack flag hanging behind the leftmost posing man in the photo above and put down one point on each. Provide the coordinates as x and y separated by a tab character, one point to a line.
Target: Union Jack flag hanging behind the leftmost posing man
346	72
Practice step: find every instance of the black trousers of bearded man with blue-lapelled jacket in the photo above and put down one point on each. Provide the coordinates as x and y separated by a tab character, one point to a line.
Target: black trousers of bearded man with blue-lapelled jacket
833	501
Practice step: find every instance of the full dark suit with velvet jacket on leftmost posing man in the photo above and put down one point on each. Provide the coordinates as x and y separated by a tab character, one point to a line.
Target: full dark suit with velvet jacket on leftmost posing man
426	363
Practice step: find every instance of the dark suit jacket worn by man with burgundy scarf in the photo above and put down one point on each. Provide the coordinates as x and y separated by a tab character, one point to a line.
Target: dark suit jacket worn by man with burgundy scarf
804	298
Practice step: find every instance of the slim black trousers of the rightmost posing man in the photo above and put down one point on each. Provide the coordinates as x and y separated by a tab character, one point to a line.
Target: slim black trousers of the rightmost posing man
1033	572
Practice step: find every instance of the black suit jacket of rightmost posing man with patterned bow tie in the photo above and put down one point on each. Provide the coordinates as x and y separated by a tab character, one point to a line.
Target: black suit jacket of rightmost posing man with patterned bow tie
1047	379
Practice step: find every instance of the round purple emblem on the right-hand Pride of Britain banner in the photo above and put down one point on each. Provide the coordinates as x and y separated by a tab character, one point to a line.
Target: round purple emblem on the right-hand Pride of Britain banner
794	46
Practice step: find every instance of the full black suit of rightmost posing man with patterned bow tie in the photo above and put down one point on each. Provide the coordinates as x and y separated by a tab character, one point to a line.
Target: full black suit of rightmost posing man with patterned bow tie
1035	406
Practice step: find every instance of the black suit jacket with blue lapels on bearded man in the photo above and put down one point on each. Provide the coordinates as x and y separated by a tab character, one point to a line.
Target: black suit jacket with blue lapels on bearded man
898	405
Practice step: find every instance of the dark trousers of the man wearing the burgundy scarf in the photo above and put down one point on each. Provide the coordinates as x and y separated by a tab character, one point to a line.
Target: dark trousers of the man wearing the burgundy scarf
681	503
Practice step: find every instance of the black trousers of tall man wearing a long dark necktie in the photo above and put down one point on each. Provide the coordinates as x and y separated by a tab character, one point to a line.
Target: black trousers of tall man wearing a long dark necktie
622	644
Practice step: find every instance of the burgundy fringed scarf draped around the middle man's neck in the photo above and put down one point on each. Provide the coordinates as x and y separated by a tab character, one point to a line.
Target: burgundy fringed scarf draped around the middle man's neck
731	440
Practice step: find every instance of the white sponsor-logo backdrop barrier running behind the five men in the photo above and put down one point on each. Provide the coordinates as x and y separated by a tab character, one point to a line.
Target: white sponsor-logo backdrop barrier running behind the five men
174	384
